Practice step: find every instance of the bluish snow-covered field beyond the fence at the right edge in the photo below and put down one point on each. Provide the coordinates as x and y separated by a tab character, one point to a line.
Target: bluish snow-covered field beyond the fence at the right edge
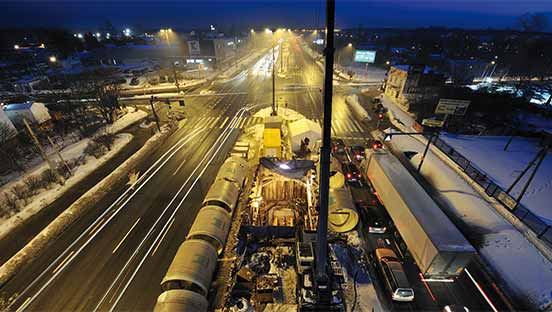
487	153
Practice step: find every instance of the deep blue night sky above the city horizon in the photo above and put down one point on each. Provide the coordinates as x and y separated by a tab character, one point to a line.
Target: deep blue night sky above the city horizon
89	15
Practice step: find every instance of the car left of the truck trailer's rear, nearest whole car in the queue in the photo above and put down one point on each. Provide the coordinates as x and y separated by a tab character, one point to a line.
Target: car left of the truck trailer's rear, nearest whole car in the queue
395	278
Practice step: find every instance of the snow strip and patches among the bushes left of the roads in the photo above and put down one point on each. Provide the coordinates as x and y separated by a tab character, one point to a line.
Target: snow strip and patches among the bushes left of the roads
46	197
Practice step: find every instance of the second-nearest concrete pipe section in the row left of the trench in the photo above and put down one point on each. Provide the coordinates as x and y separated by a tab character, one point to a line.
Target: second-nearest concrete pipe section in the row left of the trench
192	268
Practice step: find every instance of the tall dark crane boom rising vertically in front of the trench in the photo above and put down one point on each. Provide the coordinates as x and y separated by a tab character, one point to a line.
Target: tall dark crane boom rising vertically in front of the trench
322	280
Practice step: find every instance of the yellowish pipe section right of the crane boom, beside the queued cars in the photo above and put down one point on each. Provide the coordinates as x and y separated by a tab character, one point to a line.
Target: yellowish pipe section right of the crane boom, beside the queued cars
342	214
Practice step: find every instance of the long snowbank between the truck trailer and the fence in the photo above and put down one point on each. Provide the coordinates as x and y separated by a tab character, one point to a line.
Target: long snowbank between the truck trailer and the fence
502	246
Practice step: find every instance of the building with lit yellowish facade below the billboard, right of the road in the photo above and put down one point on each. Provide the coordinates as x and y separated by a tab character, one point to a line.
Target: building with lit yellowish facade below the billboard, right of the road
414	88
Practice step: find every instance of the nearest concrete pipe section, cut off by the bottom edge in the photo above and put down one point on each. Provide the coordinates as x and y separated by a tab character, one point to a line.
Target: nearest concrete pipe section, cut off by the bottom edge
180	300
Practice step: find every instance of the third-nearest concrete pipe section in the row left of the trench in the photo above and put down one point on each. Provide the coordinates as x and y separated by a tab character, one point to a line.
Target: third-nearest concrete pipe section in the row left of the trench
211	224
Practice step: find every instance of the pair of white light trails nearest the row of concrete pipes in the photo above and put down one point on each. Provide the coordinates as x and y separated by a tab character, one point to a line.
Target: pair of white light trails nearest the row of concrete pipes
226	132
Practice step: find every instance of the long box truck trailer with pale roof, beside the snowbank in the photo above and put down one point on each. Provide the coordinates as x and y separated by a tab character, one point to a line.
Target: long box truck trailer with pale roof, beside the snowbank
436	245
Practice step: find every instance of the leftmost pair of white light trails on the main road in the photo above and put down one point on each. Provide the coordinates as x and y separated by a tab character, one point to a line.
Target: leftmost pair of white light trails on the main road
175	148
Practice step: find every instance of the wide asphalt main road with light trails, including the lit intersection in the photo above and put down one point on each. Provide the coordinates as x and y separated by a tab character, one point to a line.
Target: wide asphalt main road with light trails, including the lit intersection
114	258
